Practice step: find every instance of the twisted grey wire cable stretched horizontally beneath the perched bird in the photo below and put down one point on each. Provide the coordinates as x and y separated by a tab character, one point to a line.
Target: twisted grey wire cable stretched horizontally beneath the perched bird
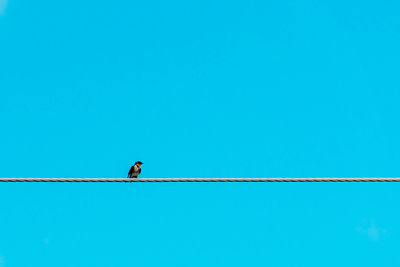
140	180
